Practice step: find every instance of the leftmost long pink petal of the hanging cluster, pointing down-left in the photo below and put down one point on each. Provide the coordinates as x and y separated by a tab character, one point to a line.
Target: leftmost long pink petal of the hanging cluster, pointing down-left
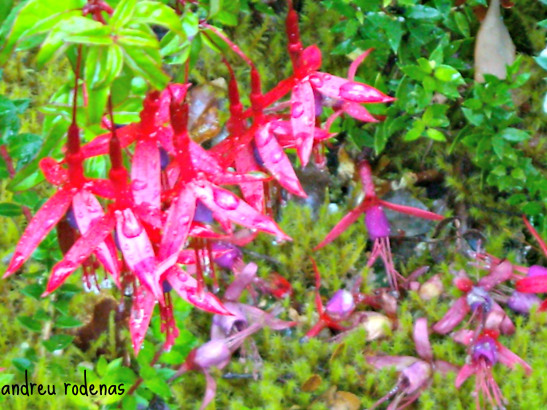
45	219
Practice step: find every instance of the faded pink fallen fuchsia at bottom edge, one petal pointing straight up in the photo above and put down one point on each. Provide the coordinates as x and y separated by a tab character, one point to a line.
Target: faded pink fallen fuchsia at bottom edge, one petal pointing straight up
415	373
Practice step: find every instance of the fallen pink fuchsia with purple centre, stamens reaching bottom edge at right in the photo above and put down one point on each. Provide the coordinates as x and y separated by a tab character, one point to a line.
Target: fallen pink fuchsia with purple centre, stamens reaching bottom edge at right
484	352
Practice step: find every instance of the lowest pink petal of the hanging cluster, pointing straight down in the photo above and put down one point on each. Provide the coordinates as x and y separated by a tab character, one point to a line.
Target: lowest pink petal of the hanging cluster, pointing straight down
141	313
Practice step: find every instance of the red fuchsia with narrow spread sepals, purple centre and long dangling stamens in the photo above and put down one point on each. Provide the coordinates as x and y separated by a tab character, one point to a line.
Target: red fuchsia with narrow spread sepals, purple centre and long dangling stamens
377	224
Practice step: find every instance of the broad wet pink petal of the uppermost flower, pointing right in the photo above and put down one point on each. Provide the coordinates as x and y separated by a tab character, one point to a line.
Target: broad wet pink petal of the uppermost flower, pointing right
343	89
